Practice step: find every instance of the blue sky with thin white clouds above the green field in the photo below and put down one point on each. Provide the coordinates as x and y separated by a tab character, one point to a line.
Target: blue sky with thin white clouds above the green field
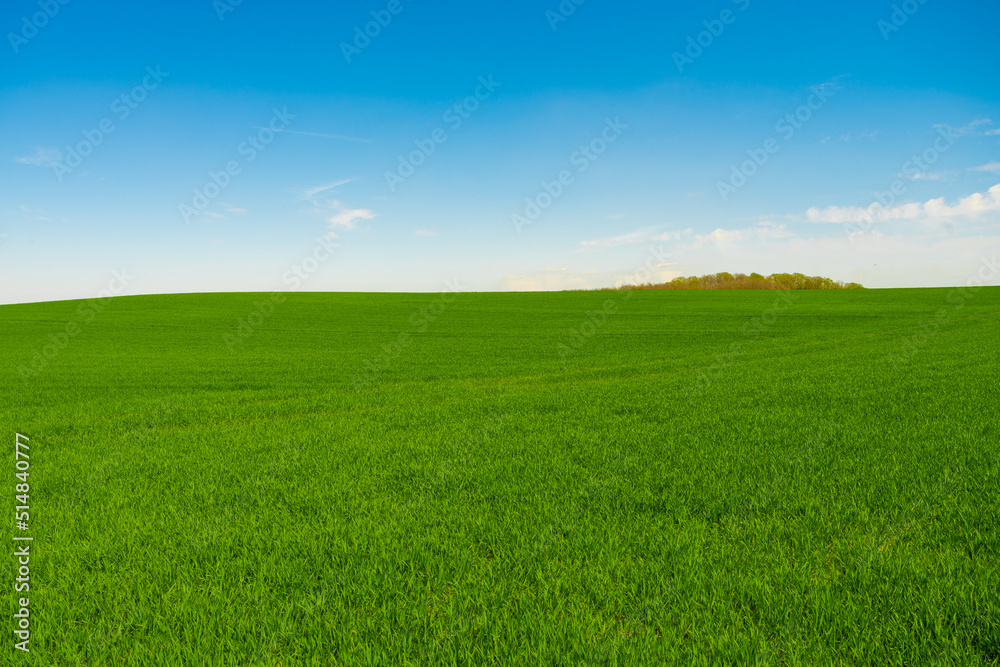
264	146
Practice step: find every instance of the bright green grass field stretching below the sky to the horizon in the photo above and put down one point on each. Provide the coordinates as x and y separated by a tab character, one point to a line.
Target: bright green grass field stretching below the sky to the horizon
577	478
